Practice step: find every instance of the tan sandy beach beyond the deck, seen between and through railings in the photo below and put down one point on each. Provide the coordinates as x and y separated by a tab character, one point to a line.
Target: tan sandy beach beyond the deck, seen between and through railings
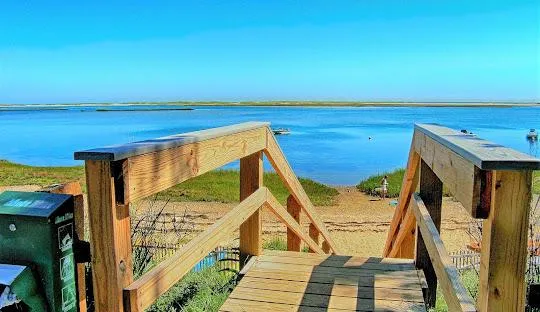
357	222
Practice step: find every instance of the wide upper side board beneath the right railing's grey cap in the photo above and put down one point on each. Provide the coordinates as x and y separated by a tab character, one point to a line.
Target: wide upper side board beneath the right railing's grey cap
460	176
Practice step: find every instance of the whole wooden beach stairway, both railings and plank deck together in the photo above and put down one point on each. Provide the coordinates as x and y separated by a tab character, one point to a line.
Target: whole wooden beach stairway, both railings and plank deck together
492	182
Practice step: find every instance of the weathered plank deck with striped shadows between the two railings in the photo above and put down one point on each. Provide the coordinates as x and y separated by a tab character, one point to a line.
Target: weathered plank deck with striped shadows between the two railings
299	281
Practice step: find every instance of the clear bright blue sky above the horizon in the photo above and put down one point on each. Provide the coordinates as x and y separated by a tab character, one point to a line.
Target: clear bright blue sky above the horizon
370	50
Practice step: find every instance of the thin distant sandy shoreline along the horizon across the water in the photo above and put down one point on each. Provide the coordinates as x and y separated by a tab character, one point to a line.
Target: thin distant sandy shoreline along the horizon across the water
278	104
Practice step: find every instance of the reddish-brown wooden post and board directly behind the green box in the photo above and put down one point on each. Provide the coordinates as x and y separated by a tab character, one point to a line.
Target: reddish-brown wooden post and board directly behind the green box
74	188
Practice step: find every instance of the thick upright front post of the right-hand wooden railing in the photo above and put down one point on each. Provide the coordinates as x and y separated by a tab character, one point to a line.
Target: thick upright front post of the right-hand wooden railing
504	243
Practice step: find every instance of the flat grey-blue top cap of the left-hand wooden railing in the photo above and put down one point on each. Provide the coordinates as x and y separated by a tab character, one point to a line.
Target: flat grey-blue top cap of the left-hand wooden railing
118	152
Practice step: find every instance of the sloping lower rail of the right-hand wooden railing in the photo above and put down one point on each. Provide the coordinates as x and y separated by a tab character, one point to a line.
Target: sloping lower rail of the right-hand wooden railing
456	296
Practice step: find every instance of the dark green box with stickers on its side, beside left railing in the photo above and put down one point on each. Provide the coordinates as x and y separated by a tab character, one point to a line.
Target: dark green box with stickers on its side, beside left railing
37	230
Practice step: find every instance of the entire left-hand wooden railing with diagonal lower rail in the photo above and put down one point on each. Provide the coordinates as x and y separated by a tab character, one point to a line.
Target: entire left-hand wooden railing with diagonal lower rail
117	176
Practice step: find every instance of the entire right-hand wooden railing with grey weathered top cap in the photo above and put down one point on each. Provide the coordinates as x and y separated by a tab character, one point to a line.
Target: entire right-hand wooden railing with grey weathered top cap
492	183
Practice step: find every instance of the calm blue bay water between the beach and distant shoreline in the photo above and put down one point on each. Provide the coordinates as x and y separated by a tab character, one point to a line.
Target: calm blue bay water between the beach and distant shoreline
327	144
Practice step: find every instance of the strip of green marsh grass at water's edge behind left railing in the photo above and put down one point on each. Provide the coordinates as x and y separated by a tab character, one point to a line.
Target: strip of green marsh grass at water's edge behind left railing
217	185
